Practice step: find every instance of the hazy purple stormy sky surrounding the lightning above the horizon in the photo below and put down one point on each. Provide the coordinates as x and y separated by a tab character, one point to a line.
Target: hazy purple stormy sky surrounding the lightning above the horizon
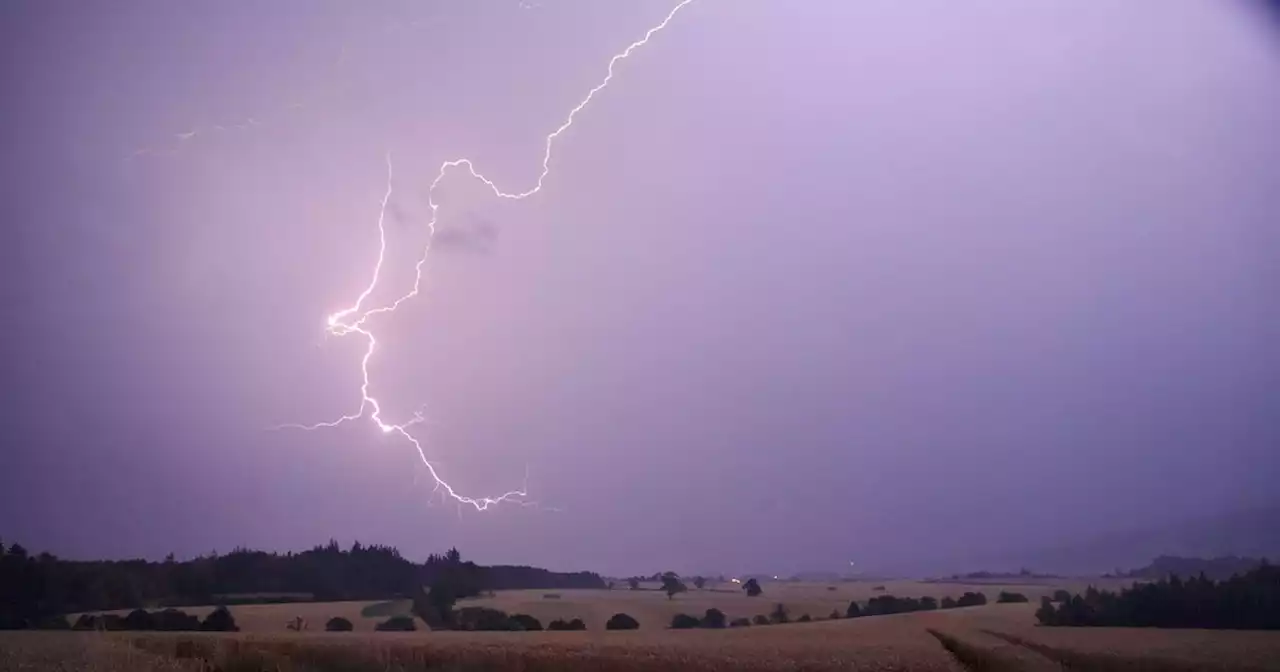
811	282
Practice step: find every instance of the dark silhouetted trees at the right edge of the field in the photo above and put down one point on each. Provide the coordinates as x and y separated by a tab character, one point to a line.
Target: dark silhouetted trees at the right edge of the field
1245	602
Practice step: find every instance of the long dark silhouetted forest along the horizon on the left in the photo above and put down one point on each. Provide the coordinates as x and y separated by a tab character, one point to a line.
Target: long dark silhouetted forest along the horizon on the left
35	588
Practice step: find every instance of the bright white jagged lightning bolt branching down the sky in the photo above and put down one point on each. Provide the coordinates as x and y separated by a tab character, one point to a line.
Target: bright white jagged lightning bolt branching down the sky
355	318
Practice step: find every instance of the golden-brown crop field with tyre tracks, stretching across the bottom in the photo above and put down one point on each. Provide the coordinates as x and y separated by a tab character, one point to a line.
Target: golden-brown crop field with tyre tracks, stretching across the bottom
993	638
